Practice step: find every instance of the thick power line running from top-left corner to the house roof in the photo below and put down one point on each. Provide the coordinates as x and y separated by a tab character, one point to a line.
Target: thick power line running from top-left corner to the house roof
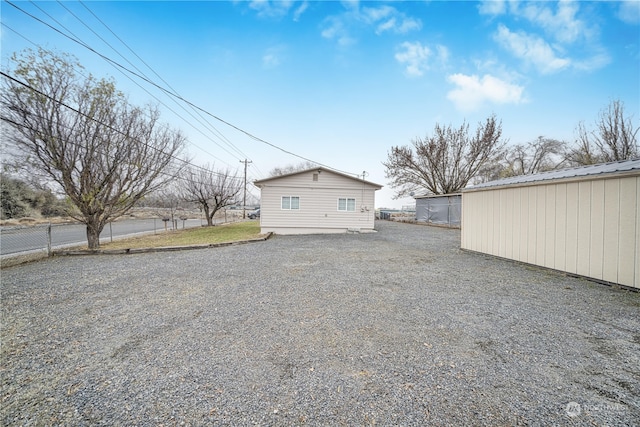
170	93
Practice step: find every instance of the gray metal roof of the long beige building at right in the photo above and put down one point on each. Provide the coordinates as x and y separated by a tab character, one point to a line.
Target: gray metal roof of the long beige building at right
583	171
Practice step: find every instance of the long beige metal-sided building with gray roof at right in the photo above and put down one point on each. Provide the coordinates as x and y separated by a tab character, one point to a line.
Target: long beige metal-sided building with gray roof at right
584	221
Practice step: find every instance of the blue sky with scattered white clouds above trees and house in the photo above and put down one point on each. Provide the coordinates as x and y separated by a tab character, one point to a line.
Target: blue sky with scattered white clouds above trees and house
340	83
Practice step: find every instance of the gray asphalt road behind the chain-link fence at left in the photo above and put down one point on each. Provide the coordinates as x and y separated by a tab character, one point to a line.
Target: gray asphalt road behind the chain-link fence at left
15	240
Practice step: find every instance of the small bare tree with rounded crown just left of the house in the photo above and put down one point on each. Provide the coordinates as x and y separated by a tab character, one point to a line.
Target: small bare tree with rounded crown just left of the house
211	189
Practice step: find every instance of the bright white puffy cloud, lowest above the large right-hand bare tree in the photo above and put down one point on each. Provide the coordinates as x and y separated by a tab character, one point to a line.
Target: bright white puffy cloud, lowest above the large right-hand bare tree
472	92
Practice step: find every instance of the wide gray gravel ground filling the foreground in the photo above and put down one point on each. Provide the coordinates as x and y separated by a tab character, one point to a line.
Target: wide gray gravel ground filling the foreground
398	327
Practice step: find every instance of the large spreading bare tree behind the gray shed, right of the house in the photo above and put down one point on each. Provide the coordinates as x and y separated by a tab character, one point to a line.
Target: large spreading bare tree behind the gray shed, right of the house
445	162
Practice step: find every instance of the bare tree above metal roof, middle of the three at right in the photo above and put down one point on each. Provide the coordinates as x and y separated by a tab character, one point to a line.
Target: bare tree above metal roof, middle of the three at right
541	155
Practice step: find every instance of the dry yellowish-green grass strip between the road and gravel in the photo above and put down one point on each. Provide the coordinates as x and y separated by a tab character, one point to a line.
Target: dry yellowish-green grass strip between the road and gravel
225	233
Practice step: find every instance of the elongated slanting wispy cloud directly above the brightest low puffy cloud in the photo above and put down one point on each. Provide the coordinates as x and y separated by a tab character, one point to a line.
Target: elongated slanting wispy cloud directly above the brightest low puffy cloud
531	49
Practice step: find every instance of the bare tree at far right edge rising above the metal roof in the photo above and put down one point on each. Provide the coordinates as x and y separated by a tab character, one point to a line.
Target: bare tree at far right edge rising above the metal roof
615	138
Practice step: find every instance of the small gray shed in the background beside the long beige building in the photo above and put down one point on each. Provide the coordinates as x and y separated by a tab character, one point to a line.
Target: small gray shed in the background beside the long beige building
443	210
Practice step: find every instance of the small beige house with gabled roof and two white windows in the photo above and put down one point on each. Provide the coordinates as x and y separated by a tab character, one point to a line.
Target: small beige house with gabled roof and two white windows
317	200
